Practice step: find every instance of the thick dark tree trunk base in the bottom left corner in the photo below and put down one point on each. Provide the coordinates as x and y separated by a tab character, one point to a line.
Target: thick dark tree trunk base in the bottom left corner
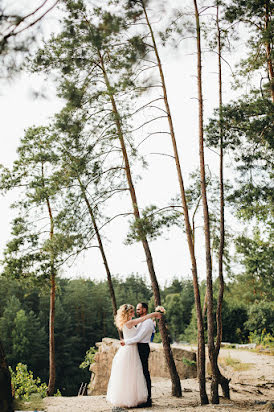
6	401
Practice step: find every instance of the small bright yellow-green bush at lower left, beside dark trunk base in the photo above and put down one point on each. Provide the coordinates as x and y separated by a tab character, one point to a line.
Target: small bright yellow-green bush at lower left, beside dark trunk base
24	384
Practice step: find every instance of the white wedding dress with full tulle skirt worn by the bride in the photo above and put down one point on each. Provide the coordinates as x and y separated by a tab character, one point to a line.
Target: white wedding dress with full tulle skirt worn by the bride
127	385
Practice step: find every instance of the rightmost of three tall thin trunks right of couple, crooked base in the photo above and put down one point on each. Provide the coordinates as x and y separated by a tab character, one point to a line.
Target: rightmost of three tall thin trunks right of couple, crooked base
221	379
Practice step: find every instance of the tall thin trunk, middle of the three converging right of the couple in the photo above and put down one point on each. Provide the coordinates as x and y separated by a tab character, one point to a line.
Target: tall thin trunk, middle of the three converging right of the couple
210	322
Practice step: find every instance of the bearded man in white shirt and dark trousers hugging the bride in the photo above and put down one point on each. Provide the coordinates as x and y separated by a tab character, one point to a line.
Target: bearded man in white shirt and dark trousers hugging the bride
142	338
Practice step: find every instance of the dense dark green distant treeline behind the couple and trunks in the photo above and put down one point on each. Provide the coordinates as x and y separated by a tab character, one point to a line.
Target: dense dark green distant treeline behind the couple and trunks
84	316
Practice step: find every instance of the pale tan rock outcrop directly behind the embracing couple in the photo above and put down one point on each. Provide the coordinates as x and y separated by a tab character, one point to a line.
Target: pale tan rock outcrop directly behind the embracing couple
185	363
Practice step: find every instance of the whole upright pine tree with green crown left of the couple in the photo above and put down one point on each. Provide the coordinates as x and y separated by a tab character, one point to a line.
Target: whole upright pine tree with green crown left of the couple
37	249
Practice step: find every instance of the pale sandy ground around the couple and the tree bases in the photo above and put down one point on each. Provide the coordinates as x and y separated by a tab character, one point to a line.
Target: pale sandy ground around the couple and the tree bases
251	390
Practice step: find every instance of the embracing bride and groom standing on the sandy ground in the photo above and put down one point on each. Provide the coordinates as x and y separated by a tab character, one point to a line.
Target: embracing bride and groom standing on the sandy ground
129	384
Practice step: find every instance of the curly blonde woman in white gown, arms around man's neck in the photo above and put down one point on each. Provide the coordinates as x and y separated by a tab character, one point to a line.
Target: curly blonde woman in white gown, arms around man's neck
127	385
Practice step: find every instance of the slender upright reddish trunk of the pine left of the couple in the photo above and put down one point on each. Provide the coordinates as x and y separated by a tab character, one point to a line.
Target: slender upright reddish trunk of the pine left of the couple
52	366
